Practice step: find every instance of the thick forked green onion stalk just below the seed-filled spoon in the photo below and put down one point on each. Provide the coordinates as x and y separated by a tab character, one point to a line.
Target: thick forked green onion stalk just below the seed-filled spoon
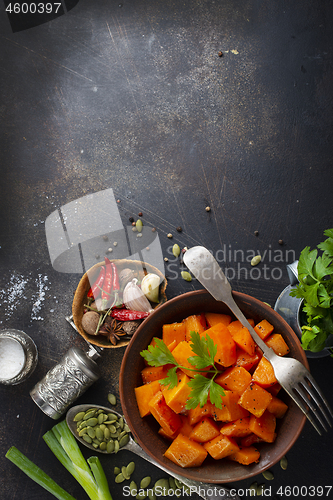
63	444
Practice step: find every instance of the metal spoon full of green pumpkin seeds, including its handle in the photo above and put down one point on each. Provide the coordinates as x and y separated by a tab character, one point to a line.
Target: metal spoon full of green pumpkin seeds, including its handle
105	430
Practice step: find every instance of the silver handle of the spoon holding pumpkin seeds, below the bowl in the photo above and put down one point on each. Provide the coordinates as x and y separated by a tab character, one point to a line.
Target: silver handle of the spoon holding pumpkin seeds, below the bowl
203	490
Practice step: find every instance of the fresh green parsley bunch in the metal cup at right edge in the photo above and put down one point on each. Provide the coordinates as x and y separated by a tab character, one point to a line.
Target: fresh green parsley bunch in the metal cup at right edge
316	288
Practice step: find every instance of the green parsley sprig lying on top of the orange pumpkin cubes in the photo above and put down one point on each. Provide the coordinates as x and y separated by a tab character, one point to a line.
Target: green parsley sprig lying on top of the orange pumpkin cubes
201	386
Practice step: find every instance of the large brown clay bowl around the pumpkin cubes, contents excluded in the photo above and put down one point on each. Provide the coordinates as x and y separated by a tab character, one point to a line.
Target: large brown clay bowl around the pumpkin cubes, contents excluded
145	429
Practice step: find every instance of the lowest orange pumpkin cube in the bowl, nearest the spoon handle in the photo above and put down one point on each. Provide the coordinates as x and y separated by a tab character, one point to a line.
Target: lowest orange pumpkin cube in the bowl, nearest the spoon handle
185	452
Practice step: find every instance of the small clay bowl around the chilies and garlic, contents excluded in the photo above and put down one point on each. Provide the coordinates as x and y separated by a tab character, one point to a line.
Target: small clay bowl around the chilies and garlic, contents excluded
80	298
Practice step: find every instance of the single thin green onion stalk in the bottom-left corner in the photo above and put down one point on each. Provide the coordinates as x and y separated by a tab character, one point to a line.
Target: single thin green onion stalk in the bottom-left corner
35	473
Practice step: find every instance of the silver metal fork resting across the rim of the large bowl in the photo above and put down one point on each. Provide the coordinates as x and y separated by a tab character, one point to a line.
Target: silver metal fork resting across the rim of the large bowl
290	373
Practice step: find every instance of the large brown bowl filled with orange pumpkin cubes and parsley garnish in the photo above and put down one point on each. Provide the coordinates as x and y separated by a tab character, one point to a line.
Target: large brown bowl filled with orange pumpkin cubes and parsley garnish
199	396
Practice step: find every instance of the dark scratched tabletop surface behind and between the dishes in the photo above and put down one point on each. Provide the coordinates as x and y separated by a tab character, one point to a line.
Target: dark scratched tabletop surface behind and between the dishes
134	96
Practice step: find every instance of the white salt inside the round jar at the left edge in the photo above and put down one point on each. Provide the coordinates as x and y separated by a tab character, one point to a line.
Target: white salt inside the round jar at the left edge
12	358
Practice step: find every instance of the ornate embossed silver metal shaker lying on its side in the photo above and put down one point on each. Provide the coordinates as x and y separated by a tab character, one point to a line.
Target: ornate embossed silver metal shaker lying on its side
66	381
